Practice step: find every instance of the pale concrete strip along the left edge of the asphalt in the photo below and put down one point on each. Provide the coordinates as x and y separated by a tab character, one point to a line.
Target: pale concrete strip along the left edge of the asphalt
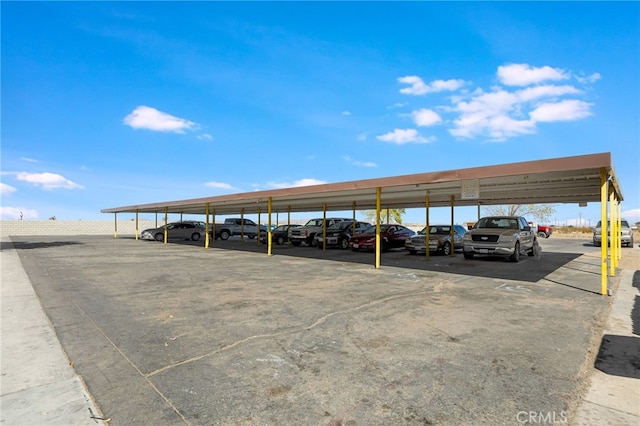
38	385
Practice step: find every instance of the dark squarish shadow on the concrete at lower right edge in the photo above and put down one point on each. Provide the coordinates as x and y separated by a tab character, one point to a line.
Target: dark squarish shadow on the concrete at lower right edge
619	356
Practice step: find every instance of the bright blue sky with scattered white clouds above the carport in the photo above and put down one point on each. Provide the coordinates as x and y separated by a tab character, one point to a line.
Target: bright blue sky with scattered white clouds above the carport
107	104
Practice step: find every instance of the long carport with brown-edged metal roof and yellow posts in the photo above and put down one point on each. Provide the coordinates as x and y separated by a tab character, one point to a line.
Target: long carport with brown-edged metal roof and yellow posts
576	179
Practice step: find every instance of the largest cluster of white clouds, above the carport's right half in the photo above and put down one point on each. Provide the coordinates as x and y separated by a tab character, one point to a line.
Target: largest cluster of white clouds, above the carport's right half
526	96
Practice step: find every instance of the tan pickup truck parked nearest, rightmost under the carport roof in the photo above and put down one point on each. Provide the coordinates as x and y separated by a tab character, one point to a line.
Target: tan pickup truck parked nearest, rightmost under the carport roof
508	236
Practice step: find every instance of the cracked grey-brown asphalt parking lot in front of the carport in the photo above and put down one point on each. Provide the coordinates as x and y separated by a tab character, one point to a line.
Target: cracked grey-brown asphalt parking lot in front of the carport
179	334
